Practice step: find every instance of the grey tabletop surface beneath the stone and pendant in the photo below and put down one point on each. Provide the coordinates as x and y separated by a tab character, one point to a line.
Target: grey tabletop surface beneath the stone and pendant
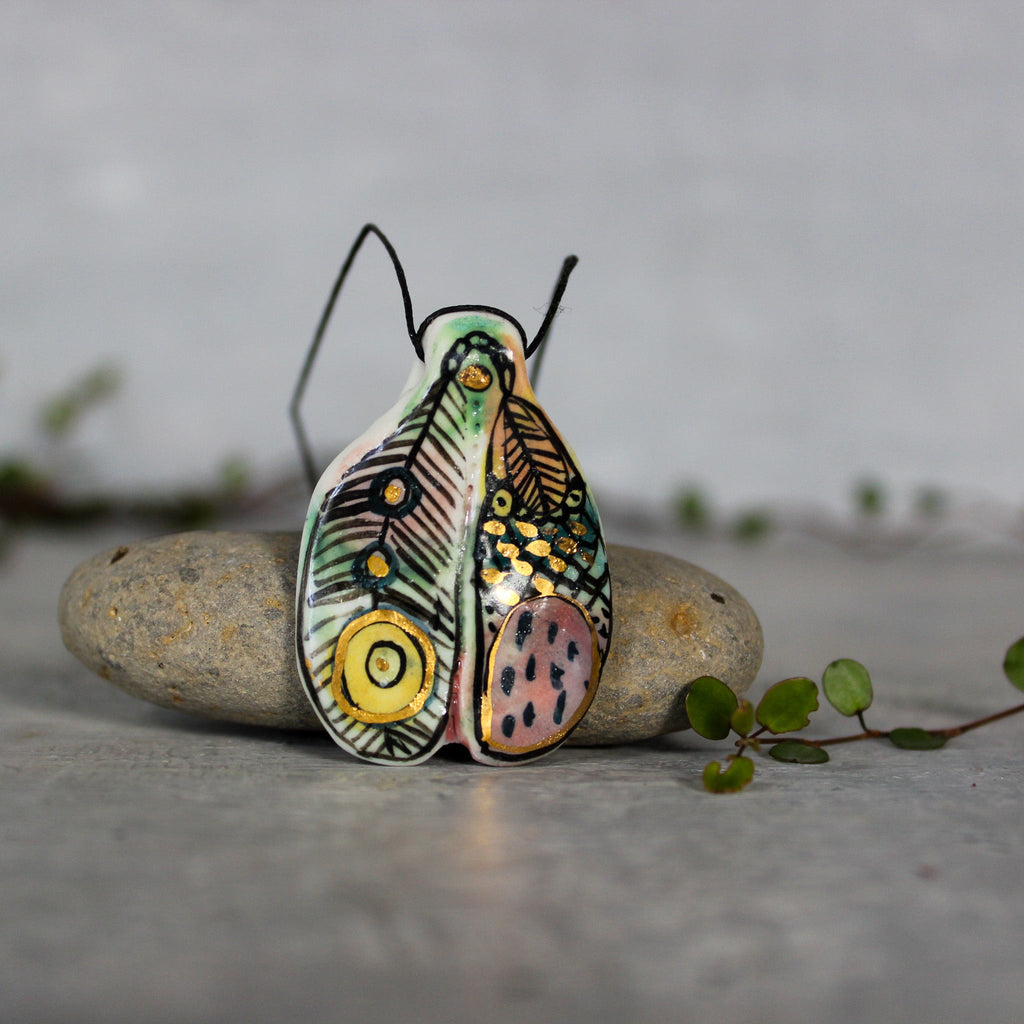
158	868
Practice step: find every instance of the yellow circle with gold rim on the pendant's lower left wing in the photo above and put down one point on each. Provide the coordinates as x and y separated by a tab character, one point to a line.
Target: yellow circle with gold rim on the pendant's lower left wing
383	668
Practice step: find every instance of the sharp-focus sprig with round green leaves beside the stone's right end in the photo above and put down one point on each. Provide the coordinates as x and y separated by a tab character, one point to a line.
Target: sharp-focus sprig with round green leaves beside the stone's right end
715	712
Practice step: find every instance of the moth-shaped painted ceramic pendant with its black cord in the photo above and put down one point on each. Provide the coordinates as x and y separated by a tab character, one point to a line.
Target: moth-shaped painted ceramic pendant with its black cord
453	582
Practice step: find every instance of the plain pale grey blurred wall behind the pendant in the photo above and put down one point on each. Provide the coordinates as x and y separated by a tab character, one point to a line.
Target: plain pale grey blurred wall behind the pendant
801	230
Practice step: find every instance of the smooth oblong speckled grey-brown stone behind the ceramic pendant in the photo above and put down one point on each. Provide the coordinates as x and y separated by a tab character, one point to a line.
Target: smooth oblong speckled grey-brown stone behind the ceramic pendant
204	623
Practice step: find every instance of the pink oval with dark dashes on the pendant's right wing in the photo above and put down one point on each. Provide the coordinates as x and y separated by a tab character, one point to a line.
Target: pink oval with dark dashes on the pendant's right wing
539	686
